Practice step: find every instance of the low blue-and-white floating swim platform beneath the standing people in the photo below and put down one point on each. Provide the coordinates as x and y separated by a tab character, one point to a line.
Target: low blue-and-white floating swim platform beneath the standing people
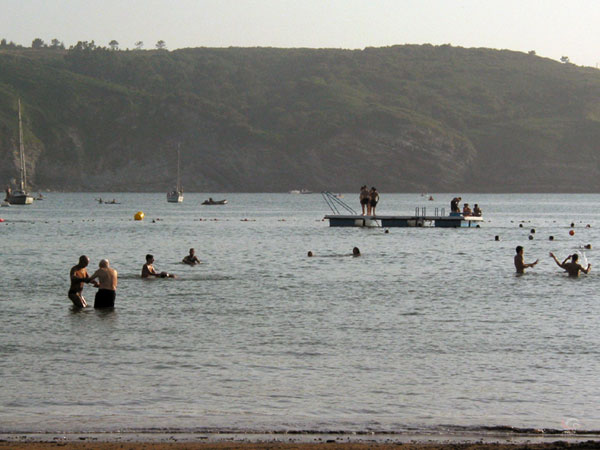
439	221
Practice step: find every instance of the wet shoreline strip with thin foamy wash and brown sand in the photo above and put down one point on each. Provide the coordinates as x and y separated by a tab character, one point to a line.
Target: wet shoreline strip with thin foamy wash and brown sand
164	441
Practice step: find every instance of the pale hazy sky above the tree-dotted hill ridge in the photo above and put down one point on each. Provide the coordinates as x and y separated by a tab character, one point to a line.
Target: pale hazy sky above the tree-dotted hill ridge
552	28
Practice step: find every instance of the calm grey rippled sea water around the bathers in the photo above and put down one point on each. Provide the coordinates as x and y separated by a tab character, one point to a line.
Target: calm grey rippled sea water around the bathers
429	328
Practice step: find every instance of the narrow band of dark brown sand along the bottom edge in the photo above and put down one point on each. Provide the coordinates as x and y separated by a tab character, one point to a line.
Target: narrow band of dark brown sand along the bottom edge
293	446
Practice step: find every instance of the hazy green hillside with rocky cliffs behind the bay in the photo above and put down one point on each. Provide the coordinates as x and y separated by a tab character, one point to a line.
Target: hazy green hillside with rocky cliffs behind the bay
406	118
